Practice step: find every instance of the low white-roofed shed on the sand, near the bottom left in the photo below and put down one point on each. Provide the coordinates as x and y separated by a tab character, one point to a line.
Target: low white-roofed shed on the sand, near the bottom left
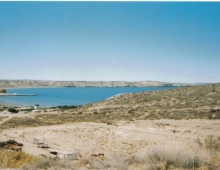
65	155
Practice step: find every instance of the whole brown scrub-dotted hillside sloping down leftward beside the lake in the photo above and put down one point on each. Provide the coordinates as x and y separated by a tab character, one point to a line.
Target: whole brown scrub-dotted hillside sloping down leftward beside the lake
197	102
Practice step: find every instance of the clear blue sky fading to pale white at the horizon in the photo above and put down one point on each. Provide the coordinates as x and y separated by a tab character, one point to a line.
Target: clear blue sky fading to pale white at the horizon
110	41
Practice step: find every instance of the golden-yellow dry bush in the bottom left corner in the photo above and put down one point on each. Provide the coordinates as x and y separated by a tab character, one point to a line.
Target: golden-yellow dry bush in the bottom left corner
11	159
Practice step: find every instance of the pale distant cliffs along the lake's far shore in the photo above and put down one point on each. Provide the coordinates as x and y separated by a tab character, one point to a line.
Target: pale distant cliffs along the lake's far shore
41	83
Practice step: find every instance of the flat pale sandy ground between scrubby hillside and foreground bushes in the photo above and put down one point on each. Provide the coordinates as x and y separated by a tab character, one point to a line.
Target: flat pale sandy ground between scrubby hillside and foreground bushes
123	137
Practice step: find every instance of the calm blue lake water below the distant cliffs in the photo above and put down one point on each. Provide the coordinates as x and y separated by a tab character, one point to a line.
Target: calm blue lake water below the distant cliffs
48	97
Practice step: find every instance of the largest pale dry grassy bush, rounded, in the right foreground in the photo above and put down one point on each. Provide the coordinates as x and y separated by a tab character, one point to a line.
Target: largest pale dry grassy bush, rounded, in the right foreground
163	158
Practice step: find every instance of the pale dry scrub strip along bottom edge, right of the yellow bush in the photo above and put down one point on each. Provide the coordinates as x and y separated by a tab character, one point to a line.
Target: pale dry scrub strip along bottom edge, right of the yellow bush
161	158
